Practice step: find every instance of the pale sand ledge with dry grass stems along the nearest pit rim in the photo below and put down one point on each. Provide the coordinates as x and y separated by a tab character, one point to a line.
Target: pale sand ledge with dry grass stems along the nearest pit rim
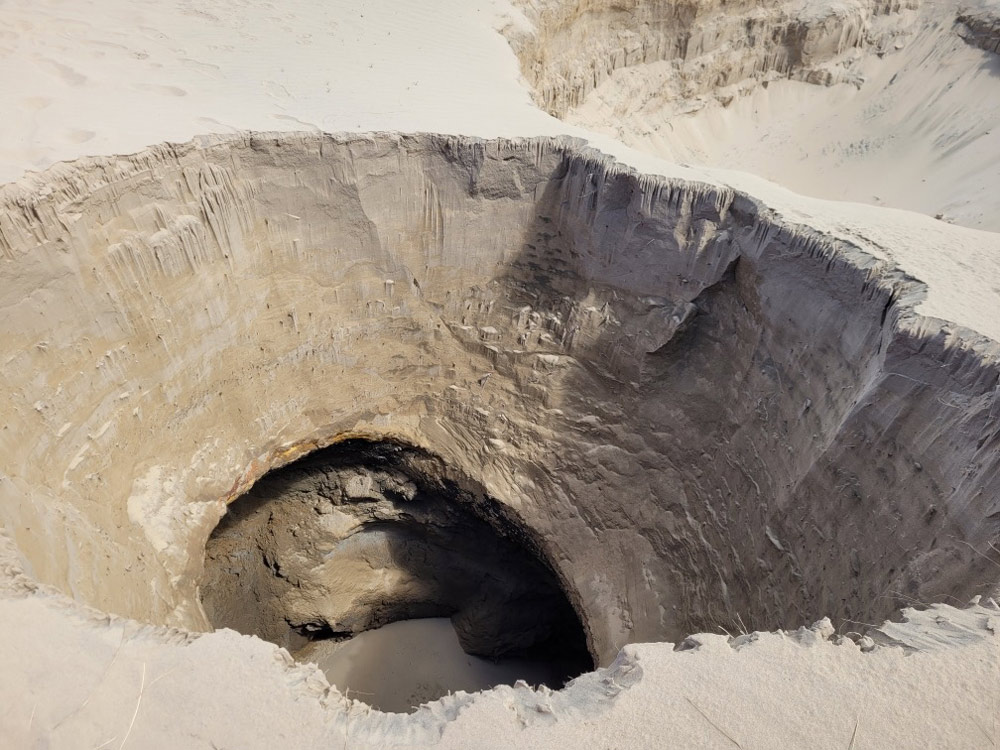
96	683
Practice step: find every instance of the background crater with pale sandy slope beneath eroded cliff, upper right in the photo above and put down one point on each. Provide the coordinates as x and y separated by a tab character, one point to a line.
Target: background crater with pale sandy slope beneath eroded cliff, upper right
888	102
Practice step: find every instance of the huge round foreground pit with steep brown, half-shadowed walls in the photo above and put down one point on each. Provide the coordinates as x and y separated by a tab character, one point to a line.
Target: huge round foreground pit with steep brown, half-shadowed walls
671	411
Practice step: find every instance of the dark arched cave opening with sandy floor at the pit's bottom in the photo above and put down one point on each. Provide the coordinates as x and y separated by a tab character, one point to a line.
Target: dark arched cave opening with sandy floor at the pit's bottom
401	580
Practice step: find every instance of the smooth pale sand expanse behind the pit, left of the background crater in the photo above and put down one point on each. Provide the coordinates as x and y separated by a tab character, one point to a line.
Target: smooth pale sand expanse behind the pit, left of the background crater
113	76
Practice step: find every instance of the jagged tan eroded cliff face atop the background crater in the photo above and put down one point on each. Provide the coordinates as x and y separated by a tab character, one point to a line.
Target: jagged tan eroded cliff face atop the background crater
706	45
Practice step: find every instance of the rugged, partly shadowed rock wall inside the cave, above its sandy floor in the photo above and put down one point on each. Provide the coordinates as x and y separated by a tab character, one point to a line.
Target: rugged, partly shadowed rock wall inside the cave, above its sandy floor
362	534
